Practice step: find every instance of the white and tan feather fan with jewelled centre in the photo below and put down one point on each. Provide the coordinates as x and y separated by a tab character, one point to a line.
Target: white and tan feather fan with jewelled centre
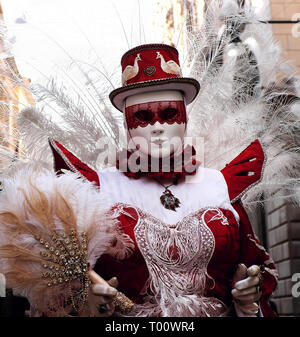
53	229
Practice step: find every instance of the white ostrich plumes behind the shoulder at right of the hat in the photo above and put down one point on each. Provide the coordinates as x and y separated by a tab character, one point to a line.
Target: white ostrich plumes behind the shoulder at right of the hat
228	124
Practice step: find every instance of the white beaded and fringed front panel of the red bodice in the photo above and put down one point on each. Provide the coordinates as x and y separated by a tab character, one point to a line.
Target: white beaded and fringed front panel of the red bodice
177	258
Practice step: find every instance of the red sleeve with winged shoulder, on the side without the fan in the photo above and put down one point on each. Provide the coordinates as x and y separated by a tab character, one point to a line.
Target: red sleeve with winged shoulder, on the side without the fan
241	174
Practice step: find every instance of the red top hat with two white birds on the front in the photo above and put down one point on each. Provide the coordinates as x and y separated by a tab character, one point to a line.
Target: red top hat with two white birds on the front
152	67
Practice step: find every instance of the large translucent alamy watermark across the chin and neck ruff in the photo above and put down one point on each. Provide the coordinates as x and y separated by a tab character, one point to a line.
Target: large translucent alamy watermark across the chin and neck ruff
134	160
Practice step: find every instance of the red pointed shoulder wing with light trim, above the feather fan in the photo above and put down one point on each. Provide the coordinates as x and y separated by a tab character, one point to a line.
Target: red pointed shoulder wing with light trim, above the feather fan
65	160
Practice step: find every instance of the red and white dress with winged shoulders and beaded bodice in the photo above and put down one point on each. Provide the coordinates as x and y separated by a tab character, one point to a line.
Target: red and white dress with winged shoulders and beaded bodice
180	263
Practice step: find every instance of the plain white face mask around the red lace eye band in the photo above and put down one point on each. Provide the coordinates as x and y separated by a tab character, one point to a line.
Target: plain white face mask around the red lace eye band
157	139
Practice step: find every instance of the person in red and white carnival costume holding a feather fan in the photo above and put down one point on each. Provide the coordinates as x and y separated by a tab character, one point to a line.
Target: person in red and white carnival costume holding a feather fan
171	235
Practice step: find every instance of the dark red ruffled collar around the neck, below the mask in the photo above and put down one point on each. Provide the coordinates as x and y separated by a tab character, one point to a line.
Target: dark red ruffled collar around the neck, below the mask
180	166
